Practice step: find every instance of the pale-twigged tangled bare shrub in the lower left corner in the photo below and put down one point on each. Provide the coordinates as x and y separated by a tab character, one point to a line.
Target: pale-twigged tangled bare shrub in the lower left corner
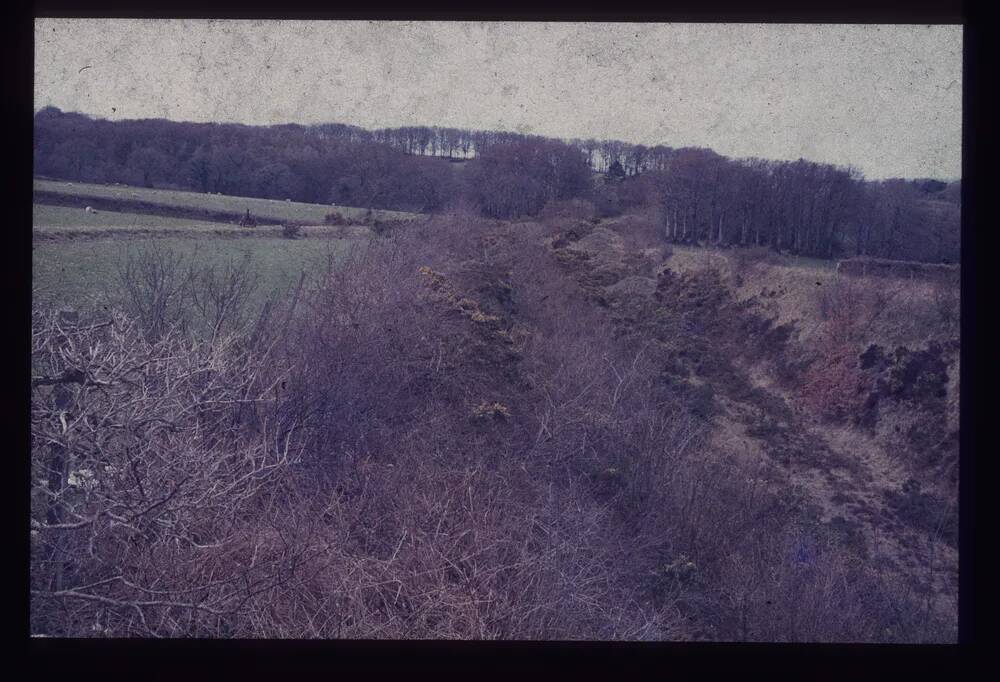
156	474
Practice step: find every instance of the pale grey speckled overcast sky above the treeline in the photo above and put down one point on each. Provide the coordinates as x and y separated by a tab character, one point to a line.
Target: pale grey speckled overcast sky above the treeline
886	99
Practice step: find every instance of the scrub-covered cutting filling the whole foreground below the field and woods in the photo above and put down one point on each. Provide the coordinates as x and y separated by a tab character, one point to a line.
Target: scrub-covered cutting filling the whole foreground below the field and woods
559	428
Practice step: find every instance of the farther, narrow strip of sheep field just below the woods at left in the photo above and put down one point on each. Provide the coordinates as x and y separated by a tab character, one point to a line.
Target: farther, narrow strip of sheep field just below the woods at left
286	210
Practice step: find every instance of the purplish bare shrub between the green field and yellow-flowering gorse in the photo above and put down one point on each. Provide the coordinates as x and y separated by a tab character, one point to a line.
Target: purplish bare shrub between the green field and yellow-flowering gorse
364	341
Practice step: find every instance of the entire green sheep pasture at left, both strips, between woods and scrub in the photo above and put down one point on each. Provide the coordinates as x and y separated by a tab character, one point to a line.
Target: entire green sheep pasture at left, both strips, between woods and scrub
75	254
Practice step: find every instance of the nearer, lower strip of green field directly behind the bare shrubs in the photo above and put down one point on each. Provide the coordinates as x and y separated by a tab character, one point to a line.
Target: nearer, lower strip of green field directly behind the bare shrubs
83	274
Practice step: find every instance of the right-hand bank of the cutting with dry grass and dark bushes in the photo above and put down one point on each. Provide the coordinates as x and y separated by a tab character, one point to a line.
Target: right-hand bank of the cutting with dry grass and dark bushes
845	391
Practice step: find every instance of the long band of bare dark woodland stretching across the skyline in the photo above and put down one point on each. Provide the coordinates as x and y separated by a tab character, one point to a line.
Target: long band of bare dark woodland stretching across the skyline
696	195
